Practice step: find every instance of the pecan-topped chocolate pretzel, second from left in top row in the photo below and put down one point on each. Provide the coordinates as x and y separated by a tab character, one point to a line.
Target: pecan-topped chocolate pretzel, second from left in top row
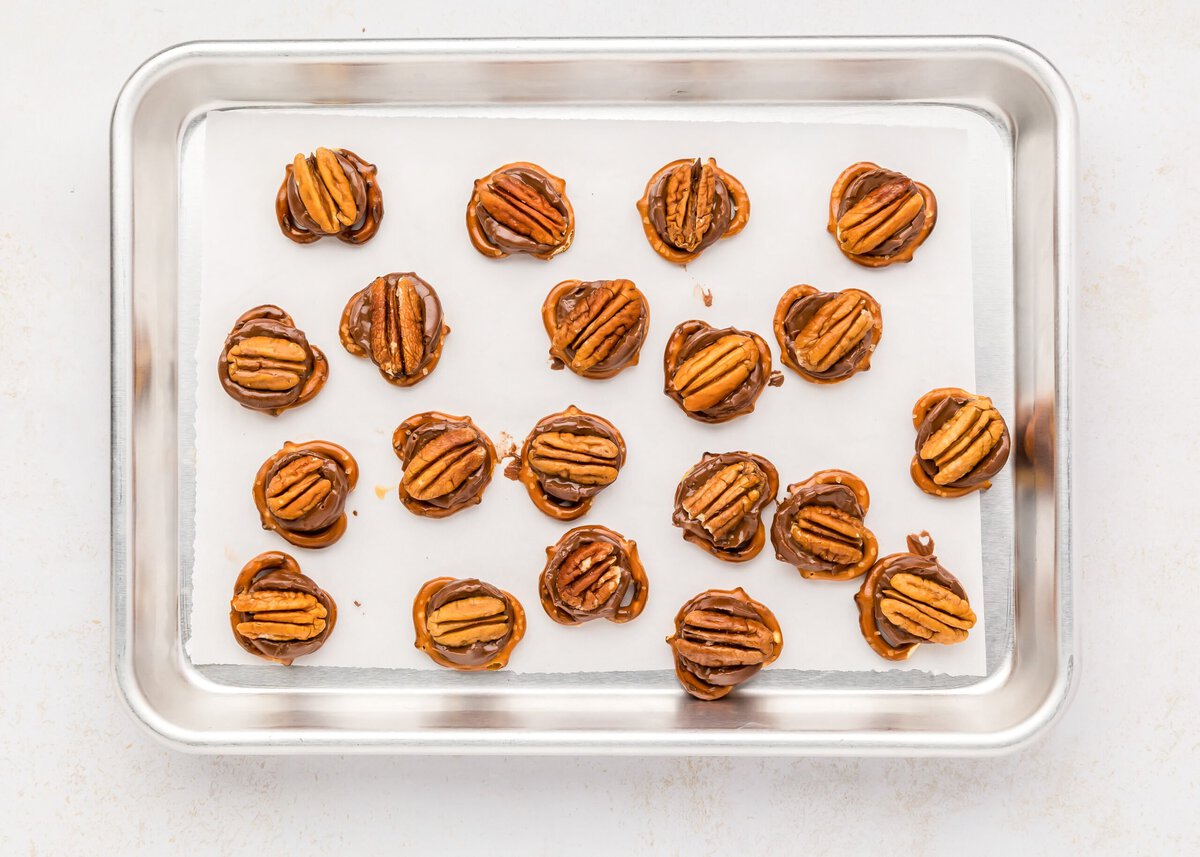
520	208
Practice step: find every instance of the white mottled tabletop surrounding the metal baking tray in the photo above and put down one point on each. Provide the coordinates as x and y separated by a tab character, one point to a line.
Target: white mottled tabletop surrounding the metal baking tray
1120	775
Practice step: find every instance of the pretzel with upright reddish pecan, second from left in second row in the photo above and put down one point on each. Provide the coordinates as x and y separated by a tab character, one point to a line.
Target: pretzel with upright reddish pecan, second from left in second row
397	322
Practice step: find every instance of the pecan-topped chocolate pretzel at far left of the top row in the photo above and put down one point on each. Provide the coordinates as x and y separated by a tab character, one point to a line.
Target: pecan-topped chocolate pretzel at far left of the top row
331	193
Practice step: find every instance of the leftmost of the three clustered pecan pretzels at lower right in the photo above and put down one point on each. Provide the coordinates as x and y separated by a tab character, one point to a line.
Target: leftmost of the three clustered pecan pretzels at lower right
719	505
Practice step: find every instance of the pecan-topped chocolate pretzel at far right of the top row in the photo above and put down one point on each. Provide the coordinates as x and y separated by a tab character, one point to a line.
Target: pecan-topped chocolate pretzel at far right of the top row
880	217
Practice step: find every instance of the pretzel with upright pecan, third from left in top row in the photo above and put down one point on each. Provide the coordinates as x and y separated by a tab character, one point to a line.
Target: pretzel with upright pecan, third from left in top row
688	206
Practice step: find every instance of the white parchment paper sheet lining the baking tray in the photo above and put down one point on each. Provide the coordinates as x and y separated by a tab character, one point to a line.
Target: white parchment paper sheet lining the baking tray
495	368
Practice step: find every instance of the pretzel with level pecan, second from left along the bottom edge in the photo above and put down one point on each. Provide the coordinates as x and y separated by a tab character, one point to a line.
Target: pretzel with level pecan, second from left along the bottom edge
467	625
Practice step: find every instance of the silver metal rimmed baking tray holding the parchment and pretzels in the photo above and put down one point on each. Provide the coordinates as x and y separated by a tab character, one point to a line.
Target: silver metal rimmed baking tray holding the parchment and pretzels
1023	295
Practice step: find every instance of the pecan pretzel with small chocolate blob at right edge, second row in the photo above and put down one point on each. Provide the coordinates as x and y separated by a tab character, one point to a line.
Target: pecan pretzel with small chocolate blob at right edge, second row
716	375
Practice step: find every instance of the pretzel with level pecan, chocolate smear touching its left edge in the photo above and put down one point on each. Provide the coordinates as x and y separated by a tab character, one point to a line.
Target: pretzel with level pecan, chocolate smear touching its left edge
568	459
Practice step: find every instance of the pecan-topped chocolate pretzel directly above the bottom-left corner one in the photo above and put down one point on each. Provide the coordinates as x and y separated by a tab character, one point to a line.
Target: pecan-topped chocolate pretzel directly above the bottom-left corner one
302	490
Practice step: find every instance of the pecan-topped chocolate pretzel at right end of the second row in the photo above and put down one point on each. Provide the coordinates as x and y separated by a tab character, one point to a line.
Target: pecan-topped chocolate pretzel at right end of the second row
827	337
